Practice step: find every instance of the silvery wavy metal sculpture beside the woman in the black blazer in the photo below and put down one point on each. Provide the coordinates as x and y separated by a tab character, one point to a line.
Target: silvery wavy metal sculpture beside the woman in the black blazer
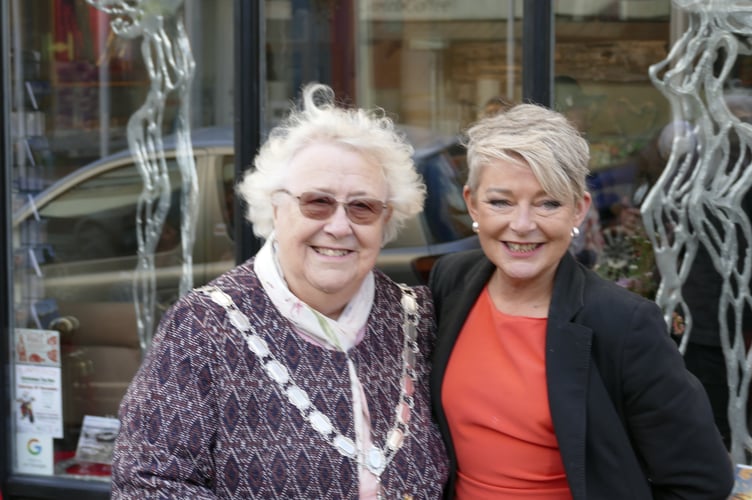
698	198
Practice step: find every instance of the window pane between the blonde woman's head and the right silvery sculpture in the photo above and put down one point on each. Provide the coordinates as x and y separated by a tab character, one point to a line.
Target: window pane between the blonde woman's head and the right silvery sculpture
602	56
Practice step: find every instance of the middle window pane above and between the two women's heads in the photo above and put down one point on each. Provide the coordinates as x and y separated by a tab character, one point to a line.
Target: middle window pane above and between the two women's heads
432	64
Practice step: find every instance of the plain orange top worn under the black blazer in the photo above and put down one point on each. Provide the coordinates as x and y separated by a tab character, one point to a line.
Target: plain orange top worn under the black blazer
496	402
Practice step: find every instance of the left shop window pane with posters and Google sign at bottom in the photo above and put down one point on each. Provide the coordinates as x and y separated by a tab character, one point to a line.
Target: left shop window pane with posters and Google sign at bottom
81	94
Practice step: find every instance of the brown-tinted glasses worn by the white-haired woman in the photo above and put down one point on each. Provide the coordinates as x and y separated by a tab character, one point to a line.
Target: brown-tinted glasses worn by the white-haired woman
321	206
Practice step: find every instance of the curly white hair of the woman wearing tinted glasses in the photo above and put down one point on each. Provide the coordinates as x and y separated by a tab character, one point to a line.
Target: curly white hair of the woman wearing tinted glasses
368	132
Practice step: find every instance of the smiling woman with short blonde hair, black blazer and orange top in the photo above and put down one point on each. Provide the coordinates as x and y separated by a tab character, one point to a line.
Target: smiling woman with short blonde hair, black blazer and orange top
548	381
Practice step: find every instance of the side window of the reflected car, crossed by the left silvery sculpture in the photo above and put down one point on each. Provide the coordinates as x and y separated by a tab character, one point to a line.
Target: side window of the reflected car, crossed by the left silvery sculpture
96	218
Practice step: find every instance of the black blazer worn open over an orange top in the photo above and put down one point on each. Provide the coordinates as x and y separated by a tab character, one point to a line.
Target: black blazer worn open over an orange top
631	421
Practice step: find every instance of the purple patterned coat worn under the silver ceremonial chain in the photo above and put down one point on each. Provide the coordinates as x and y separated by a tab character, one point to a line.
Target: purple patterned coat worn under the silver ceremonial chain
202	419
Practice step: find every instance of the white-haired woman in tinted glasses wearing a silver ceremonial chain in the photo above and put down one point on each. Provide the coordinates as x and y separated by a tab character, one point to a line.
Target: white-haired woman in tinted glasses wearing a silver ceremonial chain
301	373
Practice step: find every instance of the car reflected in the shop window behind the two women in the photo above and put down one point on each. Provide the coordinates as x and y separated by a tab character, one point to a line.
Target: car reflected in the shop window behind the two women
77	251
